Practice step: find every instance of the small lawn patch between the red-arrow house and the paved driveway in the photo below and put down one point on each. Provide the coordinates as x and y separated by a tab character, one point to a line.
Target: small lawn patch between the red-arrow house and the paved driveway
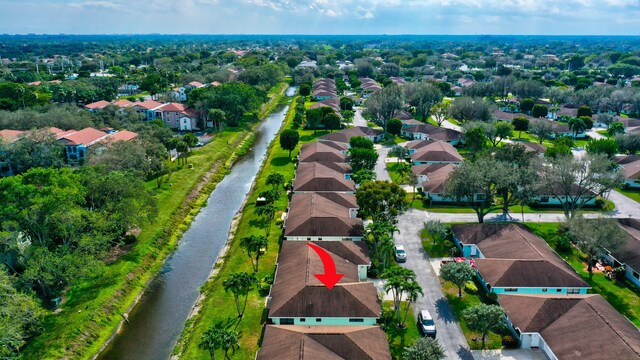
400	338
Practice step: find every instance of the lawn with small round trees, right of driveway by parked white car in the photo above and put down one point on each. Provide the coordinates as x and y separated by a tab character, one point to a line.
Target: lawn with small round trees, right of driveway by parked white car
459	304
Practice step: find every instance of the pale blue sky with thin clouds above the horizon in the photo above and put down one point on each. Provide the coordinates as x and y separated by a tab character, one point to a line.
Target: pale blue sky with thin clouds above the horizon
321	16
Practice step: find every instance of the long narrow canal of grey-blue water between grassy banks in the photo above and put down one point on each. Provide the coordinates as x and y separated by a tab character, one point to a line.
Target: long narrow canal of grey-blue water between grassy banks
158	319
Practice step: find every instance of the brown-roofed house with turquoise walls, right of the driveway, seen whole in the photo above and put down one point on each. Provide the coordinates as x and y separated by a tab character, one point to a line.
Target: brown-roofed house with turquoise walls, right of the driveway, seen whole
511	259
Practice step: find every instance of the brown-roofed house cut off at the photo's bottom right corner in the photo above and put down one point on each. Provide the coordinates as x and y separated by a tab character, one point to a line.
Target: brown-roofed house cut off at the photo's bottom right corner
571	327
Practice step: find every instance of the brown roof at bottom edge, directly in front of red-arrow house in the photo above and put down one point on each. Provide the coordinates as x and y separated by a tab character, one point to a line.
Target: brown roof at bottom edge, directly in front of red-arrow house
324	342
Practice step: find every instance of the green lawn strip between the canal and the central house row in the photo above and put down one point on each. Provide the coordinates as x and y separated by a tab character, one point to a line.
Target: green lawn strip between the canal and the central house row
217	305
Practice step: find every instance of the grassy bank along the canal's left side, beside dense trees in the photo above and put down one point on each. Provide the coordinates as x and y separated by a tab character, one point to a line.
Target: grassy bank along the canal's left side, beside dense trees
94	307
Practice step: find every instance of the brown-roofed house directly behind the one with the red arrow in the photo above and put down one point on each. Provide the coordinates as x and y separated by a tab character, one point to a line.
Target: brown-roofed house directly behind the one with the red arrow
323	216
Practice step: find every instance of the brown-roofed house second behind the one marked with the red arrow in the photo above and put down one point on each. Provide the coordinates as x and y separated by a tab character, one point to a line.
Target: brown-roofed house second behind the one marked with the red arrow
317	177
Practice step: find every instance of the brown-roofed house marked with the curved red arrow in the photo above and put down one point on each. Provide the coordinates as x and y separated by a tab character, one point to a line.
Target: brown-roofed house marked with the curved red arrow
297	297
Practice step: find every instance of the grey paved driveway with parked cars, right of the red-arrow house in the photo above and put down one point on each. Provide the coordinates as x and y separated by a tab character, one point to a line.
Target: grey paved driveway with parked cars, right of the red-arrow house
449	332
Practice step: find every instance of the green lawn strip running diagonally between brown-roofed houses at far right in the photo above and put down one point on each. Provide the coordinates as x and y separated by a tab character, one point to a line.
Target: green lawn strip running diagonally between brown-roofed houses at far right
620	294
